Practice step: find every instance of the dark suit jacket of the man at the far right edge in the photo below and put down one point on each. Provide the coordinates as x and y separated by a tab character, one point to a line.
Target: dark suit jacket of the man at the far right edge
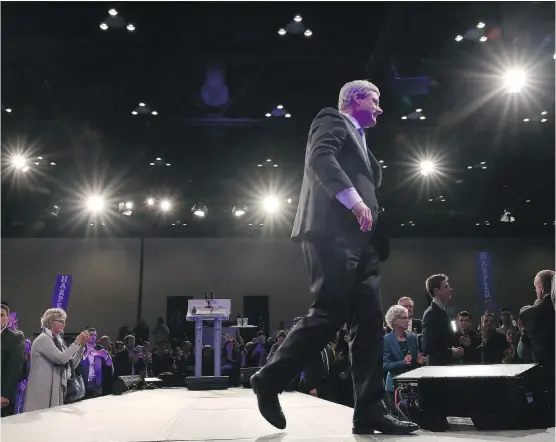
539	324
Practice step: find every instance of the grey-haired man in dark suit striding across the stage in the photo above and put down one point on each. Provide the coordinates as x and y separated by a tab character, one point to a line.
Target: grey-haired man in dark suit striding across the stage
338	225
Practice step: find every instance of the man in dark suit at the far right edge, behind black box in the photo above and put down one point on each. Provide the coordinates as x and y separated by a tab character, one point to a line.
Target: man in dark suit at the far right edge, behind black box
539	323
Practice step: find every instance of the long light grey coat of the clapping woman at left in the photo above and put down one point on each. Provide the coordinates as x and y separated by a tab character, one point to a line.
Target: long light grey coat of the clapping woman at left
48	376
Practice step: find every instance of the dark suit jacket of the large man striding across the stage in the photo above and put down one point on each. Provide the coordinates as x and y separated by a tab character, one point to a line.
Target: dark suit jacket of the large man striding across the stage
337	159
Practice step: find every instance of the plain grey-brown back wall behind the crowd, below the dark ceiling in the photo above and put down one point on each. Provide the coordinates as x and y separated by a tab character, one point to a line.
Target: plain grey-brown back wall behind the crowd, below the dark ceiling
106	275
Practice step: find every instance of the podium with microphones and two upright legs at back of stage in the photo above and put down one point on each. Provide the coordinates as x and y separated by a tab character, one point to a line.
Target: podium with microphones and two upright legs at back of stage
216	314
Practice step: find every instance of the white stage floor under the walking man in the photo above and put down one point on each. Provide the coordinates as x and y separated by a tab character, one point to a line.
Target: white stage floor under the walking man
227	415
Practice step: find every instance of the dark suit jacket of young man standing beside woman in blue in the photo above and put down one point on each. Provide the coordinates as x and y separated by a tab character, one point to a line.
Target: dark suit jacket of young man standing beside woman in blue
438	336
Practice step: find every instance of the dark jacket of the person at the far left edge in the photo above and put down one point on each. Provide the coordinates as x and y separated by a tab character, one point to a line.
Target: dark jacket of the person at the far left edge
13	357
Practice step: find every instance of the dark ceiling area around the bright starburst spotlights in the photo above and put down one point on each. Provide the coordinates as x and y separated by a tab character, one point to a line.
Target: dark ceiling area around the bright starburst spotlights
71	88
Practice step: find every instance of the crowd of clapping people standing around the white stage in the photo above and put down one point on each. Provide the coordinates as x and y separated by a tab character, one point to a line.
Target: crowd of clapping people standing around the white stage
50	371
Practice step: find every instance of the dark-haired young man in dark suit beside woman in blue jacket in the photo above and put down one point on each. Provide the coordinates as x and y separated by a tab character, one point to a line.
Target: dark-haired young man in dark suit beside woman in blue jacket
438	336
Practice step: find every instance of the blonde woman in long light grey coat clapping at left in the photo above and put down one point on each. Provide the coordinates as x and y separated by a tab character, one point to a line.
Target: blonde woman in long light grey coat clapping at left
50	362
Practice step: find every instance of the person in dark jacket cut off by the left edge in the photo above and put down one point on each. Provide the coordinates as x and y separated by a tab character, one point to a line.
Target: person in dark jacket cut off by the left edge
13	357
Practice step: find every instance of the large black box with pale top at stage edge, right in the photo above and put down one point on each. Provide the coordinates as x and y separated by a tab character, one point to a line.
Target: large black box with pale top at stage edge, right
505	396
